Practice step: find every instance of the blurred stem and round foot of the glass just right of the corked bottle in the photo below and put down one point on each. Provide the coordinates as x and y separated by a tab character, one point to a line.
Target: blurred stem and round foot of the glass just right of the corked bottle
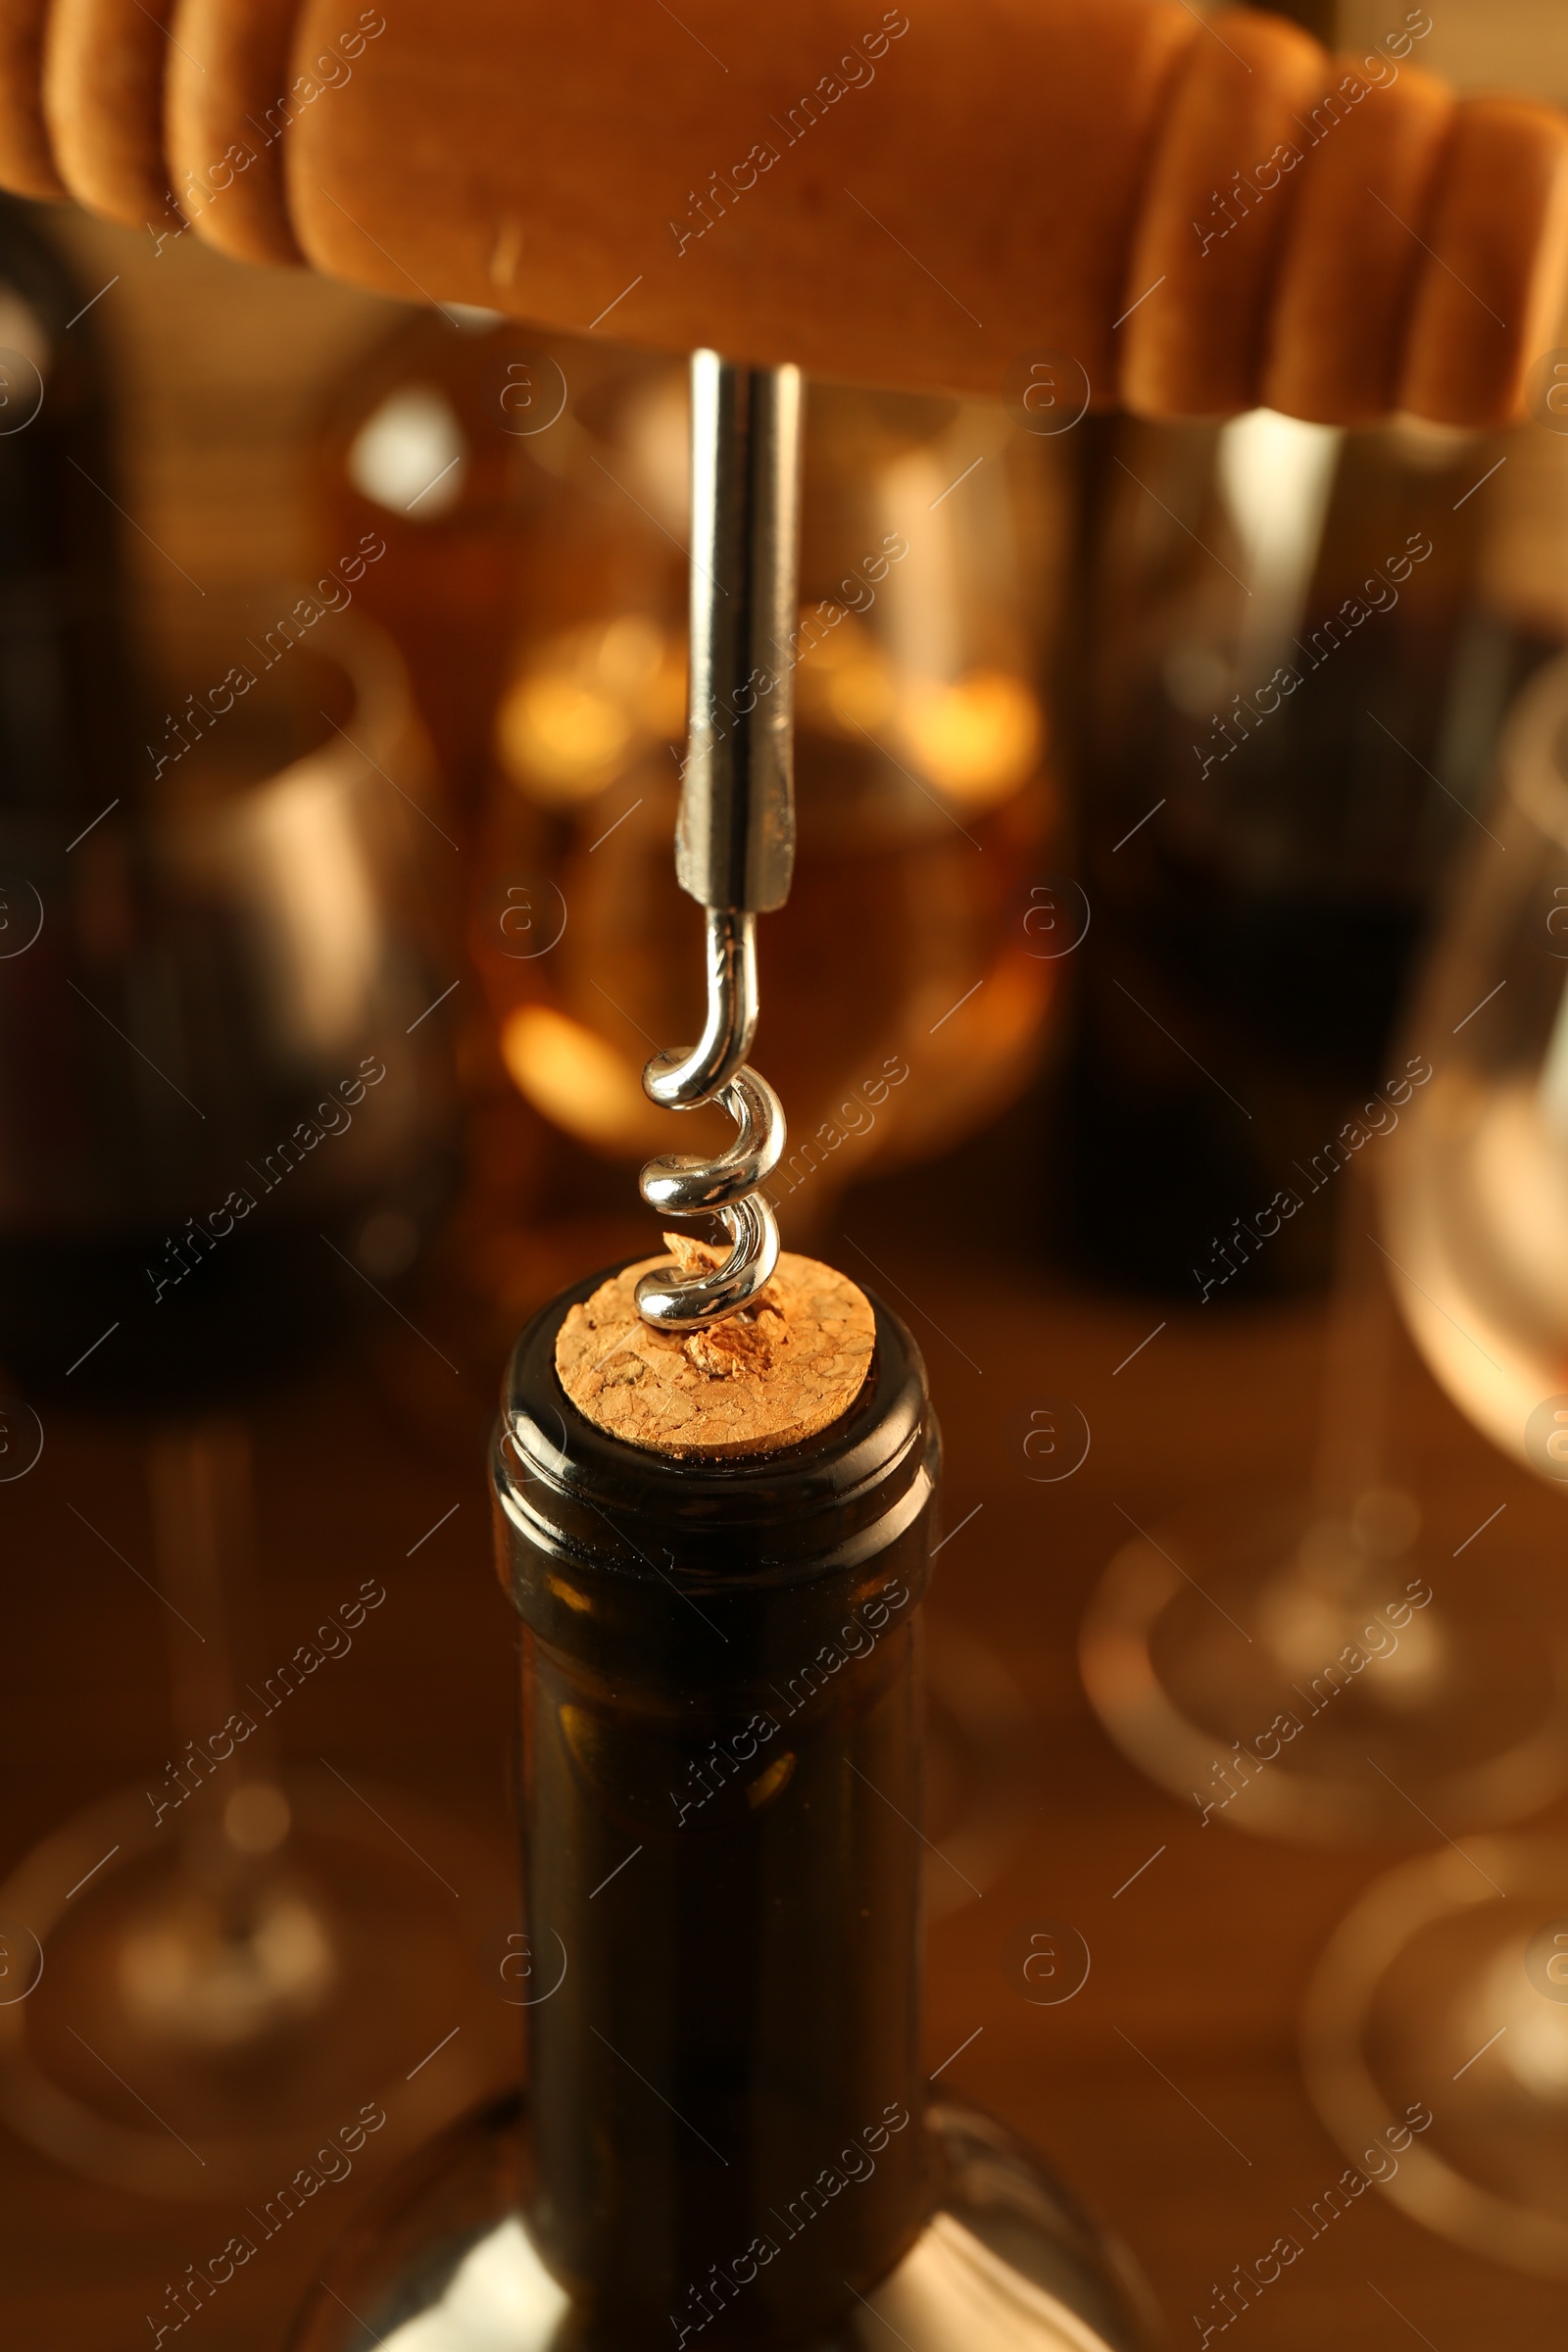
1308	1662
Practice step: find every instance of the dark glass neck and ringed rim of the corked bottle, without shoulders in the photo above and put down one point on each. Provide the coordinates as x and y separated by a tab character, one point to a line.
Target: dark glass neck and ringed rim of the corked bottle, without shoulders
721	1857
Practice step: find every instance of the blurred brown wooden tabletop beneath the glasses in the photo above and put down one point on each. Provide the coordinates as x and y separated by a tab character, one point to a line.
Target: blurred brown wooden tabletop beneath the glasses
1167	2092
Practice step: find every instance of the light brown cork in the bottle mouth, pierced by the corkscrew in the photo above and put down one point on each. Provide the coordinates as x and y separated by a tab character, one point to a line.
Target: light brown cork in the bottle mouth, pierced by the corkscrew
763	1379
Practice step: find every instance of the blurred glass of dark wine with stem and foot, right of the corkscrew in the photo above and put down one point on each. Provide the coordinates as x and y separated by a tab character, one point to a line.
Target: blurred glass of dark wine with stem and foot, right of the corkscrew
1313	655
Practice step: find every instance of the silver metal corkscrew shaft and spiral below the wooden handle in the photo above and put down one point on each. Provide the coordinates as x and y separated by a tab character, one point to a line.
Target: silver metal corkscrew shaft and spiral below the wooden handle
735	848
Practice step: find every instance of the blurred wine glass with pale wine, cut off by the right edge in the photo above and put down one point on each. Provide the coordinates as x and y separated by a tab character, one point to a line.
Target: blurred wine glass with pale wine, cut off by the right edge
1449	1982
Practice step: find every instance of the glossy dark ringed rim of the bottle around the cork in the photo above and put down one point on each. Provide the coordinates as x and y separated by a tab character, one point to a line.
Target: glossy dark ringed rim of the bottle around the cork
591	1502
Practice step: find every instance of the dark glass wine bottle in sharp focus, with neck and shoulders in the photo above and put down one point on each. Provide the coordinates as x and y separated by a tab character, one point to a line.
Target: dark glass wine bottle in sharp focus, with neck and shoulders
728	2134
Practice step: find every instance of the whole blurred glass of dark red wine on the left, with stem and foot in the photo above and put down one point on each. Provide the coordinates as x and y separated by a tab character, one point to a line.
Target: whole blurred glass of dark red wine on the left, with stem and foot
227	1130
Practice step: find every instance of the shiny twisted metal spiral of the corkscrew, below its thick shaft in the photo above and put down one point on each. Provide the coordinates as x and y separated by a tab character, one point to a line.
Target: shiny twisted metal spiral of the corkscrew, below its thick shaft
732	1184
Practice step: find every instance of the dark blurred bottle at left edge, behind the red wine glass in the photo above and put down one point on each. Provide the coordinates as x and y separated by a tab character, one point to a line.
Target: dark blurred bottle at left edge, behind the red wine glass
65	707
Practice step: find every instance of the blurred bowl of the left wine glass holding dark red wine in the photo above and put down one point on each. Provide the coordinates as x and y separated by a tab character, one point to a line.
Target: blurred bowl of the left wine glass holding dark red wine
220	1078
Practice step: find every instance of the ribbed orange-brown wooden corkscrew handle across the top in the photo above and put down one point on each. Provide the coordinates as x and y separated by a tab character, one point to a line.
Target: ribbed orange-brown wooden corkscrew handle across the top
1200	215
